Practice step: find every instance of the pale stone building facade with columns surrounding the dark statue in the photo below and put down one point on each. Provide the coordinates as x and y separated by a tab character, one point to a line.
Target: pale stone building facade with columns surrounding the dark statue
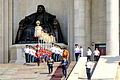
88	22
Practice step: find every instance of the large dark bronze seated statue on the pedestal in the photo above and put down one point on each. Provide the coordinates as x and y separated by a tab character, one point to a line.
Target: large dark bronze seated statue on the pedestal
49	24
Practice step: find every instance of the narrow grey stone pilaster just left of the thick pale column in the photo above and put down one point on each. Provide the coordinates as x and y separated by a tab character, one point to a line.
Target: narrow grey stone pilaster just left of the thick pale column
70	19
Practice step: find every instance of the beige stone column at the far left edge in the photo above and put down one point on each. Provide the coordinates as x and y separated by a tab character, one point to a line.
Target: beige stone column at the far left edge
4	31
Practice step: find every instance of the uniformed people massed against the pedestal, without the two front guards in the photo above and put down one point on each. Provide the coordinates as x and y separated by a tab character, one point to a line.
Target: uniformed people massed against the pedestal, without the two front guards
31	53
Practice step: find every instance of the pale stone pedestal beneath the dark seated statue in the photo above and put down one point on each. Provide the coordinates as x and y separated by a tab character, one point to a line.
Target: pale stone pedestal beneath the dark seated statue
17	54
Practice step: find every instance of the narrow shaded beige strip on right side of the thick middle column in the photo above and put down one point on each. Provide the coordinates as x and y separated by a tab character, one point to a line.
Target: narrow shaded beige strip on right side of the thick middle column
88	21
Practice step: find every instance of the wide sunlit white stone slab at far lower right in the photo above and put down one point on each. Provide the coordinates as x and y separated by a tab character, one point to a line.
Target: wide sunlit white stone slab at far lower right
106	68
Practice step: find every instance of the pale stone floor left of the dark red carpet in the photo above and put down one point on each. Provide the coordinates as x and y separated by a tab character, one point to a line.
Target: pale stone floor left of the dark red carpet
25	72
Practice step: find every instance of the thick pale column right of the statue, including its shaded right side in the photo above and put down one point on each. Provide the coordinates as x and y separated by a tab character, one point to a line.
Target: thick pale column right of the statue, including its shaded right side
82	12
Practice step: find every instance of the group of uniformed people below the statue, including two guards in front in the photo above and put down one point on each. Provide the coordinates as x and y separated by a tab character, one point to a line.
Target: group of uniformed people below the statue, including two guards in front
55	53
